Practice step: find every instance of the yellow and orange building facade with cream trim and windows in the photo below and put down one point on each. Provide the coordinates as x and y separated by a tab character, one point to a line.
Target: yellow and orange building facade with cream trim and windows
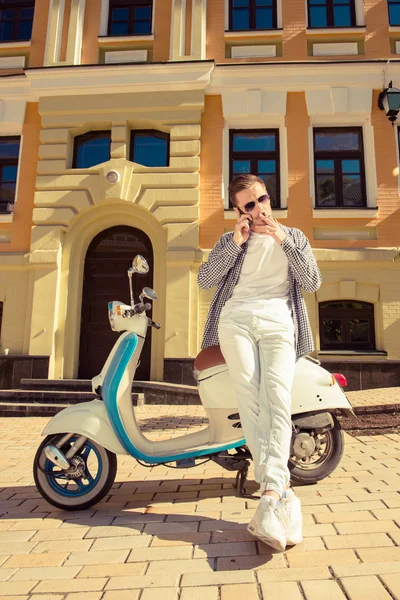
121	124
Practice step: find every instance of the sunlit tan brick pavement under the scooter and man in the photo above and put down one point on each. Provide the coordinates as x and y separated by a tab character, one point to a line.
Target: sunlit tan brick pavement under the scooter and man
167	534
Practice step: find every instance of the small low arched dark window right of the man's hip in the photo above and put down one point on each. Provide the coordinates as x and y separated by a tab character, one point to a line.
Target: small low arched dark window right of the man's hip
346	325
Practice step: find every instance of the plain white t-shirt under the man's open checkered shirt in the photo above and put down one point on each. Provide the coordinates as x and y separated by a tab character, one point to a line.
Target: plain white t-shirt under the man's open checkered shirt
263	281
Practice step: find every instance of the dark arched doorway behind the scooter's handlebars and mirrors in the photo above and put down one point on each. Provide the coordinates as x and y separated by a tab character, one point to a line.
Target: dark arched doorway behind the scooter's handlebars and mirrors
108	259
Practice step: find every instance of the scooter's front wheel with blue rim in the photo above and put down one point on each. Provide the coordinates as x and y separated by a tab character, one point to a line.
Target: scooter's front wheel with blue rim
89	478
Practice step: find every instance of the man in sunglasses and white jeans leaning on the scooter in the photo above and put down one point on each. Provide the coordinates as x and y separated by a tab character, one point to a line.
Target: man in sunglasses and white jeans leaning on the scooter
259	318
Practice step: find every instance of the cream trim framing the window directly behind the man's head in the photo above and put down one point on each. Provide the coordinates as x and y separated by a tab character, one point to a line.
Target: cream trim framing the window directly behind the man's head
261	123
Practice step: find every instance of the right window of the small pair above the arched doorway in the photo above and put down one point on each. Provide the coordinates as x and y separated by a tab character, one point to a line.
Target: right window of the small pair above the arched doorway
150	148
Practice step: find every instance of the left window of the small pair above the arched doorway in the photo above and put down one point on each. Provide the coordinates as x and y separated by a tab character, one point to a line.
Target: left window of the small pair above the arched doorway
91	149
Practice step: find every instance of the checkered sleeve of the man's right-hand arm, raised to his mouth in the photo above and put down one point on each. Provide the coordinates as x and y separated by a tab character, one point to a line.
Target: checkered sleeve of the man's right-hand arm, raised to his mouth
302	260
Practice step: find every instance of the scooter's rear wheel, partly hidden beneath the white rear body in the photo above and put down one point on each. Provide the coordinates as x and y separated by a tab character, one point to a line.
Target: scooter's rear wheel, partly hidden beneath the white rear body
323	454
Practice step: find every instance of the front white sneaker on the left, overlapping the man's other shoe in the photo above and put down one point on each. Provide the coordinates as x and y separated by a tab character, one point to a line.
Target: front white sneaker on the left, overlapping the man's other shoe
268	523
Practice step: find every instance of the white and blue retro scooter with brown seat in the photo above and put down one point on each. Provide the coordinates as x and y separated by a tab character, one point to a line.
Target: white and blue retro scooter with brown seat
75	465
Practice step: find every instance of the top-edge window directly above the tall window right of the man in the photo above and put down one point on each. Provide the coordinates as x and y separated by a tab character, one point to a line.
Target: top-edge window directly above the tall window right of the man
331	13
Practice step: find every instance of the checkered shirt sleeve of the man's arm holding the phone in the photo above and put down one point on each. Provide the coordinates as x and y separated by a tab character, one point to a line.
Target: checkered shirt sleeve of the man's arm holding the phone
222	258
